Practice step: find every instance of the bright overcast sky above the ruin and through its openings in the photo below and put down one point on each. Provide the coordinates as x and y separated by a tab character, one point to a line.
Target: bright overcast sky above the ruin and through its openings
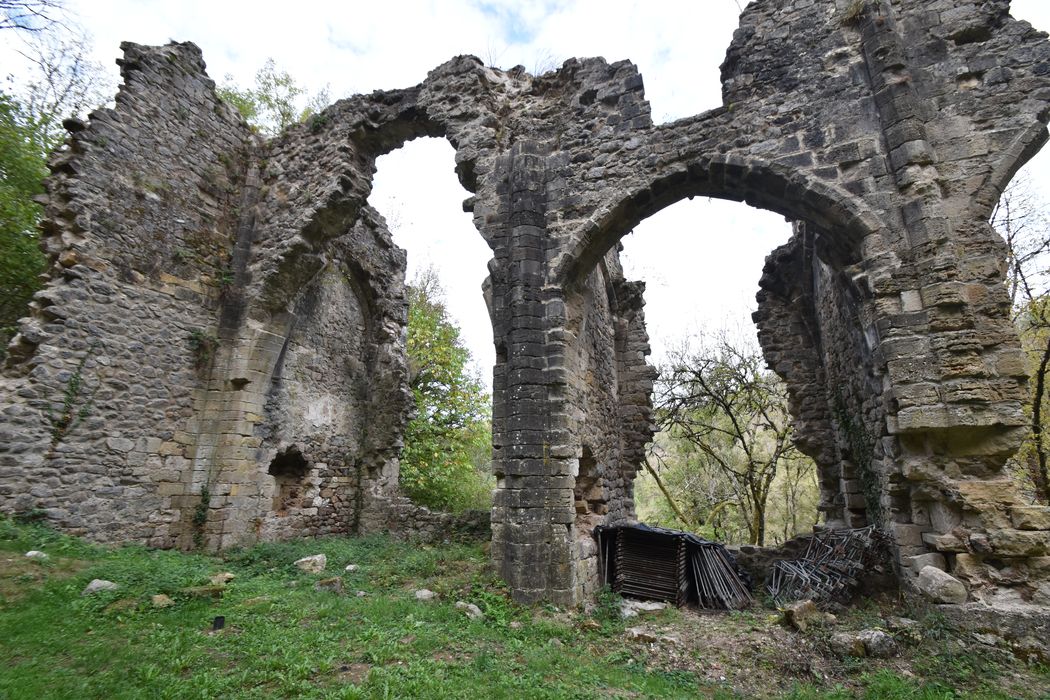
702	260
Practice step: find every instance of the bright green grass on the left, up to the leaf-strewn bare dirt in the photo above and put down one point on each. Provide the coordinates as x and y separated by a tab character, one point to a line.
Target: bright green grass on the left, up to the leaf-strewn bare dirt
283	638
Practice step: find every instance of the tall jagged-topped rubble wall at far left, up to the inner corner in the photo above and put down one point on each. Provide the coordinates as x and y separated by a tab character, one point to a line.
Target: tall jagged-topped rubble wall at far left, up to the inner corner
101	380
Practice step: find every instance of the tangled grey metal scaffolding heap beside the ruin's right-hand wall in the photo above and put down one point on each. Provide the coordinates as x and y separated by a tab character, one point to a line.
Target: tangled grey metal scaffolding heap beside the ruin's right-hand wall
831	568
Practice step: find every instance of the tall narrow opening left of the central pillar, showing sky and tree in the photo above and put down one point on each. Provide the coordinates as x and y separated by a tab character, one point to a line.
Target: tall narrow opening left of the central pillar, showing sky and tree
418	194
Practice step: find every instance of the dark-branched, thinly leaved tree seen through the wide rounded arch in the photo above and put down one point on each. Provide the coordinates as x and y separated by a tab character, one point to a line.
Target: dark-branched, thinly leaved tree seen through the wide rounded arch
726	420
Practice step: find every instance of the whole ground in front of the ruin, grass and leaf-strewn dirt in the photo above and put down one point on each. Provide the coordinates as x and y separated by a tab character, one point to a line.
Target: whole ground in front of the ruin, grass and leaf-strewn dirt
284	639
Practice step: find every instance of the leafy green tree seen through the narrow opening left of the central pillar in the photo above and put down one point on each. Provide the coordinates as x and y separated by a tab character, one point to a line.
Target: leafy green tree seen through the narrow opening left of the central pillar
445	463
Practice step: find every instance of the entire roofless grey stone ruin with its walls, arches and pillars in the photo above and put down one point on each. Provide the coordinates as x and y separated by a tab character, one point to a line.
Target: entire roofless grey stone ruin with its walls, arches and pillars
219	357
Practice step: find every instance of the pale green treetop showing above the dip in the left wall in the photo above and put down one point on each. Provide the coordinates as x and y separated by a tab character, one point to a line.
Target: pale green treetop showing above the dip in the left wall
276	103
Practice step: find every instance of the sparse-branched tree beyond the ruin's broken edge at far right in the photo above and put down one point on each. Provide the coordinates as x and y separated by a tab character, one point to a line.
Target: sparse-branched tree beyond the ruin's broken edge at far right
1022	219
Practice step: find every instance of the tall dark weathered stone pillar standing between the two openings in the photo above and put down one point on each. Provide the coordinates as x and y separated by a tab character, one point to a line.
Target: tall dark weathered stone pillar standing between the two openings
533	508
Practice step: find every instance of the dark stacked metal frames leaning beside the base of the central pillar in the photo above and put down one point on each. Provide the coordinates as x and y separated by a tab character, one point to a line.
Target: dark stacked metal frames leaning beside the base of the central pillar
673	566
